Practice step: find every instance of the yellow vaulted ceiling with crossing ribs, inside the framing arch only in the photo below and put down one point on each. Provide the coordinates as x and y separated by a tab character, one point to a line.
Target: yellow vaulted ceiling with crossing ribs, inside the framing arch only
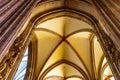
67	47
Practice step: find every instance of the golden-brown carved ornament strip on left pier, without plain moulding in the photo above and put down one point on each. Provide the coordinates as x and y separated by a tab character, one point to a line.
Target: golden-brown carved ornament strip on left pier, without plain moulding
11	57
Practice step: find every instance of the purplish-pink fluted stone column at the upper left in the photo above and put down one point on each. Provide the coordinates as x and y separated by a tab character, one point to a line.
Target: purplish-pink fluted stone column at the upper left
13	14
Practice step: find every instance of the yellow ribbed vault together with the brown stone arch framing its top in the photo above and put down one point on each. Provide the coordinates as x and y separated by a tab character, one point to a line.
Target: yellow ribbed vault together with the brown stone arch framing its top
66	43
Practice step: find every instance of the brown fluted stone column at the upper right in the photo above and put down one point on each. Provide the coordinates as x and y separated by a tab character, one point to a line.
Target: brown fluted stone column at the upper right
109	12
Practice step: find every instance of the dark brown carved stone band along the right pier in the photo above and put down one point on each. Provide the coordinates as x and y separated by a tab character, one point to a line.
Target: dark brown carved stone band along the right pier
112	54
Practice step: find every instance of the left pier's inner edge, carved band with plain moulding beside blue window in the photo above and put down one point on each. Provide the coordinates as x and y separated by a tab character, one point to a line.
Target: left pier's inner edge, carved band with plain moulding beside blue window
11	61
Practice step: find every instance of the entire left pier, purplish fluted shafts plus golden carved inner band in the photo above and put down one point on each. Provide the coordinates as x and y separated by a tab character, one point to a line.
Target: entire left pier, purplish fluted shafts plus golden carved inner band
13	15
